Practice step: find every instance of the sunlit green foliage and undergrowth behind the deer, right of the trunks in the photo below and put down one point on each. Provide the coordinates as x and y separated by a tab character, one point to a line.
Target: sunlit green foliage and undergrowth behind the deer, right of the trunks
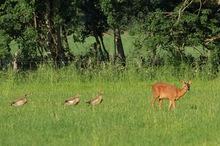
165	35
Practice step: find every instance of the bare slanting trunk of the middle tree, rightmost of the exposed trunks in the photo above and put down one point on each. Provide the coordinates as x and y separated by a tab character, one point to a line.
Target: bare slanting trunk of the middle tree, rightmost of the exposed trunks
119	46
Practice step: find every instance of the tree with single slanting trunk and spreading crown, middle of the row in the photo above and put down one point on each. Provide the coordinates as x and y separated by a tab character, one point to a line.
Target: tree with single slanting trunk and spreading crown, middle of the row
120	14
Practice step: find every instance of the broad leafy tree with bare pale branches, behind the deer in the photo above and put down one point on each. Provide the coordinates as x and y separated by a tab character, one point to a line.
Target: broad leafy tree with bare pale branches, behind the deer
172	26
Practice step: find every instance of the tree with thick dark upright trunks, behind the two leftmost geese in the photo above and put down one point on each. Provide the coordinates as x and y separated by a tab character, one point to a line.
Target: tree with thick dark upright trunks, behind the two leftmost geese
52	19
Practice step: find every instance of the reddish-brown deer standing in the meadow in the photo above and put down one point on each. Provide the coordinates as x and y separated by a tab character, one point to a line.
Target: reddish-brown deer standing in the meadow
166	91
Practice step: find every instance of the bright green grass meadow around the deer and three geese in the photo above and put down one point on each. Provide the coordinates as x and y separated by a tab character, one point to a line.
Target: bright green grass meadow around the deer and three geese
124	118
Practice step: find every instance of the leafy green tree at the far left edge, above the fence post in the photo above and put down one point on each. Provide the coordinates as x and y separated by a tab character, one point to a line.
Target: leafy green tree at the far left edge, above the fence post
17	23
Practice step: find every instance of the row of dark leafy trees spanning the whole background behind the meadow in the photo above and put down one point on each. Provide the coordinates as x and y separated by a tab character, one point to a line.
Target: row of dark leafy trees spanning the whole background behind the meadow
40	29
